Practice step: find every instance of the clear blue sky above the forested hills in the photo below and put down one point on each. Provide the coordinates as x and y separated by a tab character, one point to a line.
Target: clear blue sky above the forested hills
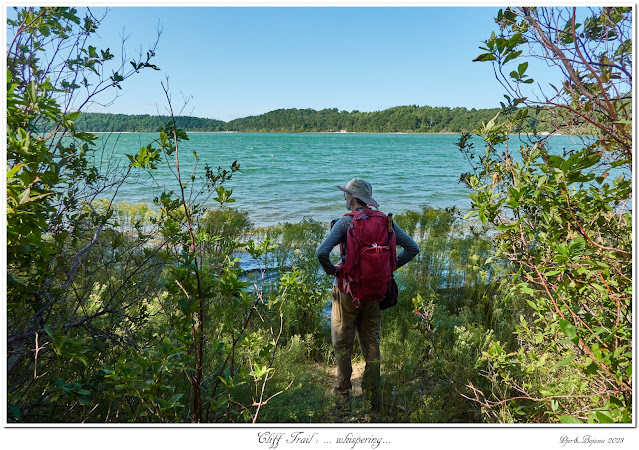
238	61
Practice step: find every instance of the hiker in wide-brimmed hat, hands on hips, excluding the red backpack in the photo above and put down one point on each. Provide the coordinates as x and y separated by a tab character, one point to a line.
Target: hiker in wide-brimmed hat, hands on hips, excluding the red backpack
349	314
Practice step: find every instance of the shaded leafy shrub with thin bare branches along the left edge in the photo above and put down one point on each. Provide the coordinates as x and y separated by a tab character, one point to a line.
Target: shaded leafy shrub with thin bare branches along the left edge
53	224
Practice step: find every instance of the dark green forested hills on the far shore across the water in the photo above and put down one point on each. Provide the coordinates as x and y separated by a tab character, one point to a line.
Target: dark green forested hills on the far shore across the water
415	119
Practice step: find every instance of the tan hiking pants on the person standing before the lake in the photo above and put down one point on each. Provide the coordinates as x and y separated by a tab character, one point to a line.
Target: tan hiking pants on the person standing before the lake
367	321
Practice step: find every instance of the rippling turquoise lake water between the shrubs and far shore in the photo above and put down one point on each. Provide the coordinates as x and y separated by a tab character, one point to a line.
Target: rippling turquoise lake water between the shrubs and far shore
286	177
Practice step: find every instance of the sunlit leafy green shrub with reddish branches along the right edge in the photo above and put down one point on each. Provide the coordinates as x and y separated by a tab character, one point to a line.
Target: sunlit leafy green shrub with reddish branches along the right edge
563	219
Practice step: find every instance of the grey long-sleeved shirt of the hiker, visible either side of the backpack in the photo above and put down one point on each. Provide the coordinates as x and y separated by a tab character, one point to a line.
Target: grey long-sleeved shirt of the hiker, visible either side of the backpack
338	233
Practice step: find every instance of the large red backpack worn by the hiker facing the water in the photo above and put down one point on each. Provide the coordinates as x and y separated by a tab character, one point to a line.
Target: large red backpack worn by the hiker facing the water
370	256
